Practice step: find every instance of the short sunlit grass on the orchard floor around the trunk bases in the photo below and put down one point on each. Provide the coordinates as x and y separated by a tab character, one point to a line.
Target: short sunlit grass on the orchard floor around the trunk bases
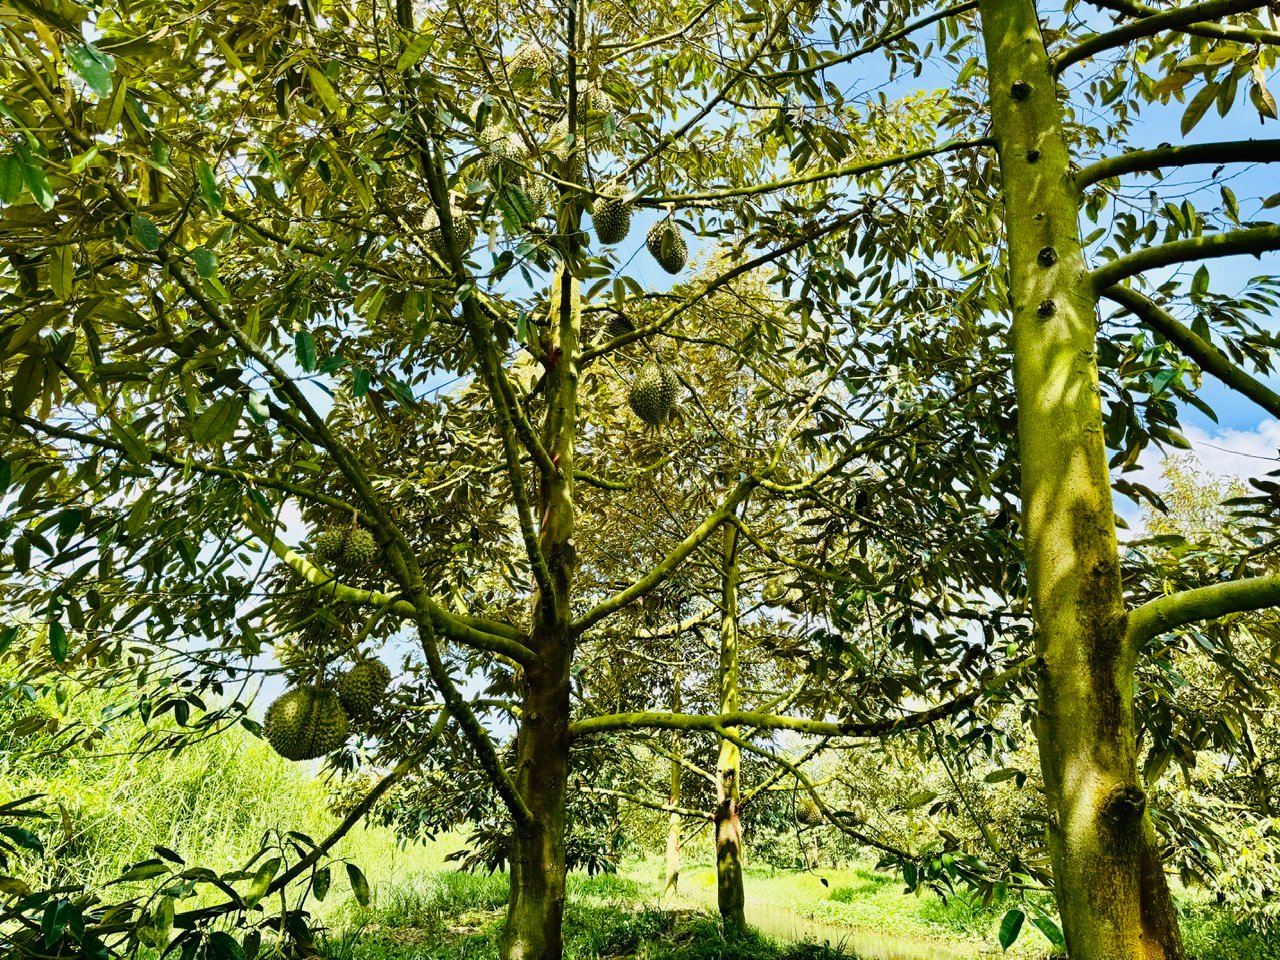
426	911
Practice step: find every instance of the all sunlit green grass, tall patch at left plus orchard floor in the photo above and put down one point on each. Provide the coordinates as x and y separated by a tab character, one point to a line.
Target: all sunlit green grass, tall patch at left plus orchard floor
216	803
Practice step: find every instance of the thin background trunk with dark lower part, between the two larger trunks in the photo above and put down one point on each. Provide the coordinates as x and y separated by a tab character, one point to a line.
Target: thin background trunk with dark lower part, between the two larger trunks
729	824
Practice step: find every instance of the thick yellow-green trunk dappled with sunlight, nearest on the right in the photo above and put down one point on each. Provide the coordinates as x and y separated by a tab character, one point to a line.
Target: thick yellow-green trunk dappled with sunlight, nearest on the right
1109	881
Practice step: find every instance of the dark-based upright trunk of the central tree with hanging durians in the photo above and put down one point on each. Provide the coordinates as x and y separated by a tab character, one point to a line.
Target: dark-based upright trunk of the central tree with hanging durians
536	909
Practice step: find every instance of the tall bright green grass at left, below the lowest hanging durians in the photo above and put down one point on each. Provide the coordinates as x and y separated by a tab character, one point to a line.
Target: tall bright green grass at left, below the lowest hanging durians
213	803
